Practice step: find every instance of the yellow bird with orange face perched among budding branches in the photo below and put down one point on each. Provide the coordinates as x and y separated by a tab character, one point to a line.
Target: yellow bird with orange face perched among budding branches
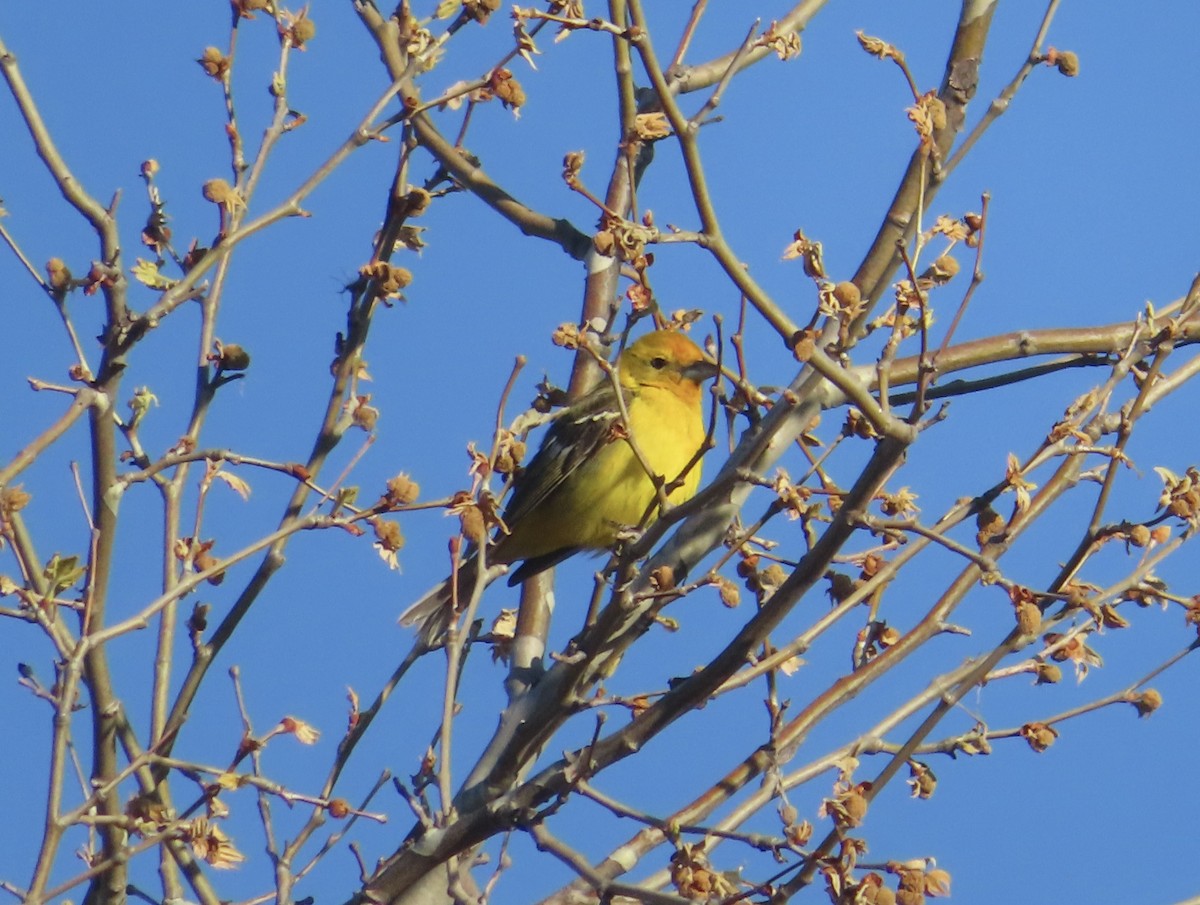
586	484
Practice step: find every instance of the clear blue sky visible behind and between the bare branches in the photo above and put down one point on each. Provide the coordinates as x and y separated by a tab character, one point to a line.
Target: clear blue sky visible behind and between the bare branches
1094	197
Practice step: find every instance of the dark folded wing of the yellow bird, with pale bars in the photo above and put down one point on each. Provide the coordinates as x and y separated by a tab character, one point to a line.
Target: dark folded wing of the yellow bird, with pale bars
580	433
